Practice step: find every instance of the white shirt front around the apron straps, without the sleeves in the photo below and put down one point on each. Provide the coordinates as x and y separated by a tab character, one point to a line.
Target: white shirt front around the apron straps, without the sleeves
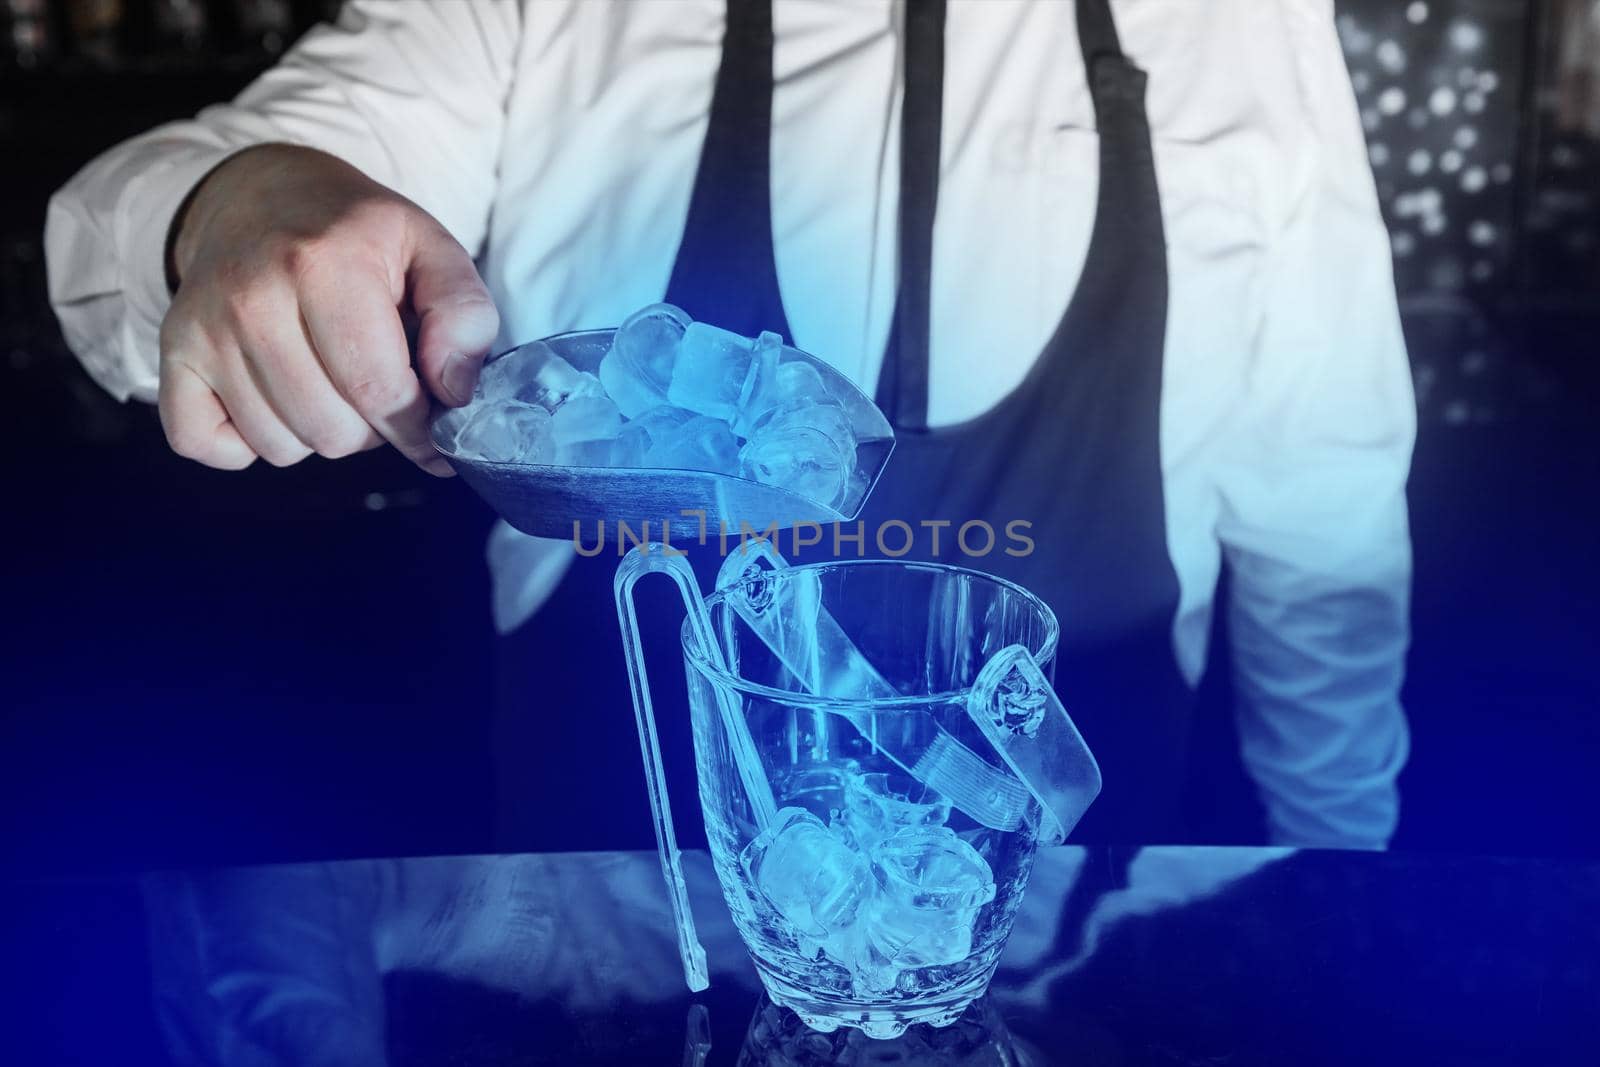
609	114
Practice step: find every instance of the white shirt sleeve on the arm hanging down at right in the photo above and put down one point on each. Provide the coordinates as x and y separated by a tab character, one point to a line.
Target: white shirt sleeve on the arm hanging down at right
1314	513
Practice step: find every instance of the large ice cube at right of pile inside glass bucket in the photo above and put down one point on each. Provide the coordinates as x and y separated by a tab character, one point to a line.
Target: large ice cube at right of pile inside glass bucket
934	887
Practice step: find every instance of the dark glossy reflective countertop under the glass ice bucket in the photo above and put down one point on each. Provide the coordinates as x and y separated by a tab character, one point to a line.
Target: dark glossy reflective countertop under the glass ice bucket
1140	956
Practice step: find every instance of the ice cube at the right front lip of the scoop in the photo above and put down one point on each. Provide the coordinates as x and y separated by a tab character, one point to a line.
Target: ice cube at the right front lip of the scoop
804	447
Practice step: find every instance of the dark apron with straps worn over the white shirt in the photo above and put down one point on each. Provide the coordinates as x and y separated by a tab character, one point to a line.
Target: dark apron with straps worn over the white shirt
1073	454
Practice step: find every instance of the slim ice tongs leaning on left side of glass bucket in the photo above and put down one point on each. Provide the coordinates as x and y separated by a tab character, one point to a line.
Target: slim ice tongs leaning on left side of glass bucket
649	559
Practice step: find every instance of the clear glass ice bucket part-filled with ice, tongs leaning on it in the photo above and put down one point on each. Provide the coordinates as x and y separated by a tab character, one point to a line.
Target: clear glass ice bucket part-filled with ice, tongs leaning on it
871	837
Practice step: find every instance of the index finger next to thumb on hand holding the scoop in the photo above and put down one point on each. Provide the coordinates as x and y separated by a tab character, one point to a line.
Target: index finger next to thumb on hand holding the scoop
358	335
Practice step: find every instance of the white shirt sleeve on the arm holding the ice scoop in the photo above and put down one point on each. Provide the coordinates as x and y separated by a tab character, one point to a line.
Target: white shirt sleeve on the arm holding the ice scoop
410	94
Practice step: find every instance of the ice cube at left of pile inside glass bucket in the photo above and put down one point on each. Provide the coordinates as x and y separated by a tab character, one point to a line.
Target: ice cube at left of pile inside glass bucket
810	877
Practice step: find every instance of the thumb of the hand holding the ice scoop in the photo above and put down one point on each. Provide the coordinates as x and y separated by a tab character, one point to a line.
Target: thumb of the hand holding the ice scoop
457	319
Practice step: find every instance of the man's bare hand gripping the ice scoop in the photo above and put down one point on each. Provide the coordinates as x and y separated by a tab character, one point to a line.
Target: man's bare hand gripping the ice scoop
286	337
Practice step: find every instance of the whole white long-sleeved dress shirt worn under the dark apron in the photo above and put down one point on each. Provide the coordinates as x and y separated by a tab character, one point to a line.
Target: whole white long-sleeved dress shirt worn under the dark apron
558	140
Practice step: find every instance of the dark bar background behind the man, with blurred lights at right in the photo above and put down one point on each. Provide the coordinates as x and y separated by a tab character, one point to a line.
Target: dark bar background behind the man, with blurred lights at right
286	665
